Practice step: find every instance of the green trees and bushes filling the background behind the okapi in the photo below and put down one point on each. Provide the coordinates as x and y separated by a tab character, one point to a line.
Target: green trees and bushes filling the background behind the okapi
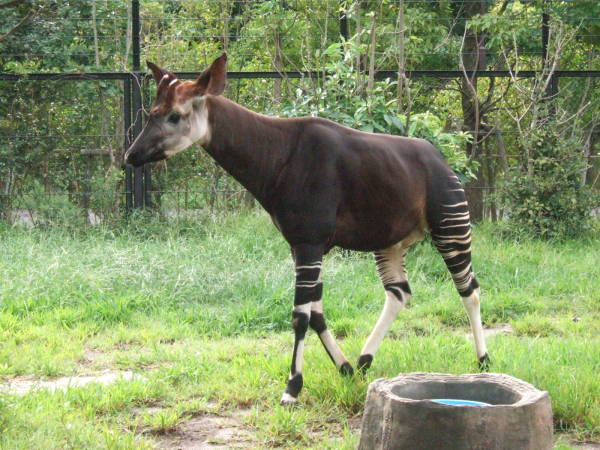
491	129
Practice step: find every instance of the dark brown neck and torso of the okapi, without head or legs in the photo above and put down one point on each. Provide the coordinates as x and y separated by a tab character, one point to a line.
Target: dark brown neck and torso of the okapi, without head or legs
326	183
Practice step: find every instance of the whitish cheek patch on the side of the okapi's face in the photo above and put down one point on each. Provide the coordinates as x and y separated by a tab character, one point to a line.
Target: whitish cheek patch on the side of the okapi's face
198	131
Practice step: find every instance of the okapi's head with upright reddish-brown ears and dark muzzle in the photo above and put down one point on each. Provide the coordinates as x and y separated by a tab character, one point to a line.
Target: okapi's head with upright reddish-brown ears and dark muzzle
179	116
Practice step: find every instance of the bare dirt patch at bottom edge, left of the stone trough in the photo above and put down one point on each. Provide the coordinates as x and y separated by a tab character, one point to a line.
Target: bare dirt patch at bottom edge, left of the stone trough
209	431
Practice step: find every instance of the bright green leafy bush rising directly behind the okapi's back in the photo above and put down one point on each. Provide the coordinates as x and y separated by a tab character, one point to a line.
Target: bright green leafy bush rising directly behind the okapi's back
344	97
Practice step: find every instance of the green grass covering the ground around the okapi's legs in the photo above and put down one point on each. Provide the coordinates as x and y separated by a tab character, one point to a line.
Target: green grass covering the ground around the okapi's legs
201	311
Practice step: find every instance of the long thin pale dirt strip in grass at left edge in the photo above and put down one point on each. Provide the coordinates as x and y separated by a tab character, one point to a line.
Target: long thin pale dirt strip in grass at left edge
24	384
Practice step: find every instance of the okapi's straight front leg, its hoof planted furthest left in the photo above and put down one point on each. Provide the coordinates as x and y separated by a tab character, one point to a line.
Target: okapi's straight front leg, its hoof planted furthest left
309	288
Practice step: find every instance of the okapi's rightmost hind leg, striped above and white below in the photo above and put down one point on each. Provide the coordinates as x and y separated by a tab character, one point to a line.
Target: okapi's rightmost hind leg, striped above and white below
452	238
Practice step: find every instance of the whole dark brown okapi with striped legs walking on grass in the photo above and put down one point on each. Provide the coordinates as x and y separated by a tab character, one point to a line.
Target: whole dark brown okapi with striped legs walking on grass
324	185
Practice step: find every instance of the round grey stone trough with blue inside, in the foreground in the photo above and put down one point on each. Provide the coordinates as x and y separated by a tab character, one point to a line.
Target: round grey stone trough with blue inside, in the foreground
401	413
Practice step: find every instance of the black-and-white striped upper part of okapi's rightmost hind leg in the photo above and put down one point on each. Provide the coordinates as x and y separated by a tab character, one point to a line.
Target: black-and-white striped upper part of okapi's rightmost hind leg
451	234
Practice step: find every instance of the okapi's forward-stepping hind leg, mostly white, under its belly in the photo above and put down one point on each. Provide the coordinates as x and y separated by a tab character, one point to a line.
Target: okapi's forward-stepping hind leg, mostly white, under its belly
390	267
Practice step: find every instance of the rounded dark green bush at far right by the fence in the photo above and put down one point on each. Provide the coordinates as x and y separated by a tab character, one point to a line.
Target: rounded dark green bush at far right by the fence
545	196
